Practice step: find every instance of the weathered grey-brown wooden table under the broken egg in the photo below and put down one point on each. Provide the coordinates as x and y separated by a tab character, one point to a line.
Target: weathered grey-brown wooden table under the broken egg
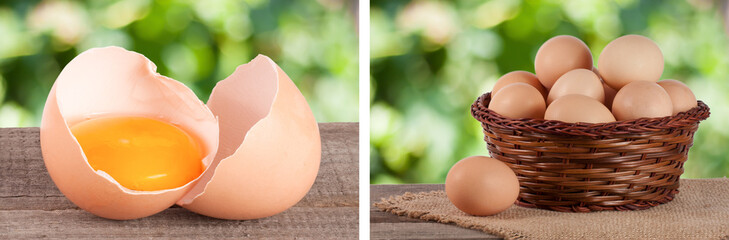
32	207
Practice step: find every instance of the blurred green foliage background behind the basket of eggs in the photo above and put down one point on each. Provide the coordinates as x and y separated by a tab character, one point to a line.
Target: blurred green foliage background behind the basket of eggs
431	59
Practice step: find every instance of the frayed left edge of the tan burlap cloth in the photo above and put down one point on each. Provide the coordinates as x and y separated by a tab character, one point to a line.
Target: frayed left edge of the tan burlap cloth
390	205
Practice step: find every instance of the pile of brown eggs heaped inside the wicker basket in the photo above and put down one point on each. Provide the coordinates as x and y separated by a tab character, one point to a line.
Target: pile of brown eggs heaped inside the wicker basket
567	87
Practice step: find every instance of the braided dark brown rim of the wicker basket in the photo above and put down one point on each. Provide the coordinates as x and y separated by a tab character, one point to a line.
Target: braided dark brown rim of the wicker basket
685	119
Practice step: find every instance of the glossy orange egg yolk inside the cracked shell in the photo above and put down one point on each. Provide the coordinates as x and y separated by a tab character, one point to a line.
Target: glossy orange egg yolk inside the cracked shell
140	153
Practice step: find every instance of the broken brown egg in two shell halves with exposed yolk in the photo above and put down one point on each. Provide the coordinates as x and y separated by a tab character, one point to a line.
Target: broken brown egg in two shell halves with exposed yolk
253	151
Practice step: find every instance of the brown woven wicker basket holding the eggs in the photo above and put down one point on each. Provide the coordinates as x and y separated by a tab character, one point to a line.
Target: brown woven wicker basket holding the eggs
583	167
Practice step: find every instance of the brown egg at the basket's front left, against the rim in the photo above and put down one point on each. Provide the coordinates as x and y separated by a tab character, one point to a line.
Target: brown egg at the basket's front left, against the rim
518	100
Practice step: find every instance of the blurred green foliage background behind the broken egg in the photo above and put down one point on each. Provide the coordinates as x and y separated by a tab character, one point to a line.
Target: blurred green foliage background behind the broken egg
195	42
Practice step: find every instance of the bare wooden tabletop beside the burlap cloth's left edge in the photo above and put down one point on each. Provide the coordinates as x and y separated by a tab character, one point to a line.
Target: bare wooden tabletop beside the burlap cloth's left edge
384	225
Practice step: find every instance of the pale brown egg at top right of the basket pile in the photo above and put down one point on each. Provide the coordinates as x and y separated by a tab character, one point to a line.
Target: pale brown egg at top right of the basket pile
630	58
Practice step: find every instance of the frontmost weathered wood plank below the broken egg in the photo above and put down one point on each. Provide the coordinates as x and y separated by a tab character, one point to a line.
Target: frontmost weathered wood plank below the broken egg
297	222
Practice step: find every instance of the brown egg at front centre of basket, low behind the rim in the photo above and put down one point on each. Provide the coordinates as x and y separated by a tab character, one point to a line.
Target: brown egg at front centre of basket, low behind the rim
575	108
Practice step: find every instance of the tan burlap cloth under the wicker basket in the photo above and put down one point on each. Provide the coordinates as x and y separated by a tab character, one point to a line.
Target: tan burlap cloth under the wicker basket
699	211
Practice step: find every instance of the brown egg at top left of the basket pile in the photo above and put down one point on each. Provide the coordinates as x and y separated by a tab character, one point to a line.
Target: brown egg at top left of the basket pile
559	55
